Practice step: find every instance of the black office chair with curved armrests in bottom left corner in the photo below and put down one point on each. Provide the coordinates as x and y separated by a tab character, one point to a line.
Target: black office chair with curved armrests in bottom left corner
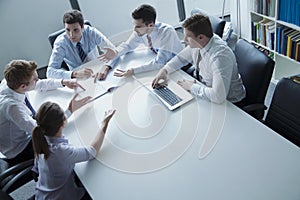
12	178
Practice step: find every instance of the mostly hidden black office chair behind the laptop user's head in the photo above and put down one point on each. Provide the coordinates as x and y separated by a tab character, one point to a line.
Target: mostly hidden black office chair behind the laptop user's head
217	24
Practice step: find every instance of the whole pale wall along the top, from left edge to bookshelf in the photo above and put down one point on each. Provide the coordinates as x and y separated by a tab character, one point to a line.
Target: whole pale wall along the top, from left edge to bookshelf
26	24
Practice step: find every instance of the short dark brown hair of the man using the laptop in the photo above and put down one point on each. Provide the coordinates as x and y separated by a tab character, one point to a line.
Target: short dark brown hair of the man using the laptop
199	24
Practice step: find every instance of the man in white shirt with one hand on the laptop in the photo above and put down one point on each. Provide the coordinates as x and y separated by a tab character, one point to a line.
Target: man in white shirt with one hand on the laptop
214	60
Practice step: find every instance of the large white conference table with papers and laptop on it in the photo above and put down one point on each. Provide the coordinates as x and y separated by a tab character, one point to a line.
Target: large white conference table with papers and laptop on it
199	151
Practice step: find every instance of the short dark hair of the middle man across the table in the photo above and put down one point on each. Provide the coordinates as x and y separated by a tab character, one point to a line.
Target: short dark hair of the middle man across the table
145	12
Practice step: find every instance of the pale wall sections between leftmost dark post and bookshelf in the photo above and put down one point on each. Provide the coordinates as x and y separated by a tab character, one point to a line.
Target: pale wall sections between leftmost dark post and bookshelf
120	18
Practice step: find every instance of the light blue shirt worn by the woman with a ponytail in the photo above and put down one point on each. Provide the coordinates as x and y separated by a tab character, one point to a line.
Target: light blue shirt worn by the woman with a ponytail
56	179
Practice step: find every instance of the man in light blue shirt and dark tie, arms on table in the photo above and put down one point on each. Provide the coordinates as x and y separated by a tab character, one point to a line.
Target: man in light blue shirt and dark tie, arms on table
77	45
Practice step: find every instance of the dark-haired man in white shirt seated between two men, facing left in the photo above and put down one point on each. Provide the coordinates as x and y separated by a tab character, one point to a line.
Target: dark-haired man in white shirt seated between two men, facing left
160	38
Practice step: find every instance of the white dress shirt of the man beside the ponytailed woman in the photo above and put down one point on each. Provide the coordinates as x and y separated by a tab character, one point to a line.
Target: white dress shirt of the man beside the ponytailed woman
16	122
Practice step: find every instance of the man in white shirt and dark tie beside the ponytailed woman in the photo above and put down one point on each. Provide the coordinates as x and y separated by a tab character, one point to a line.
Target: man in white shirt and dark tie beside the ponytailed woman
17	114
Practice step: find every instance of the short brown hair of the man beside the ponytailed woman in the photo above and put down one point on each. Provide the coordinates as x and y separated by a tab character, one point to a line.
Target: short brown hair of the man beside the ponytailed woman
19	72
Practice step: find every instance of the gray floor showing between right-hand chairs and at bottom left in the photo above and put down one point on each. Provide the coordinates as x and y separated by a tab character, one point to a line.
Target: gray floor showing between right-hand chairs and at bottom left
28	190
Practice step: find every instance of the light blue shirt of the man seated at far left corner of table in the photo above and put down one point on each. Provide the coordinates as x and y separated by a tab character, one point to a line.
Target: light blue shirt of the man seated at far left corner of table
65	50
